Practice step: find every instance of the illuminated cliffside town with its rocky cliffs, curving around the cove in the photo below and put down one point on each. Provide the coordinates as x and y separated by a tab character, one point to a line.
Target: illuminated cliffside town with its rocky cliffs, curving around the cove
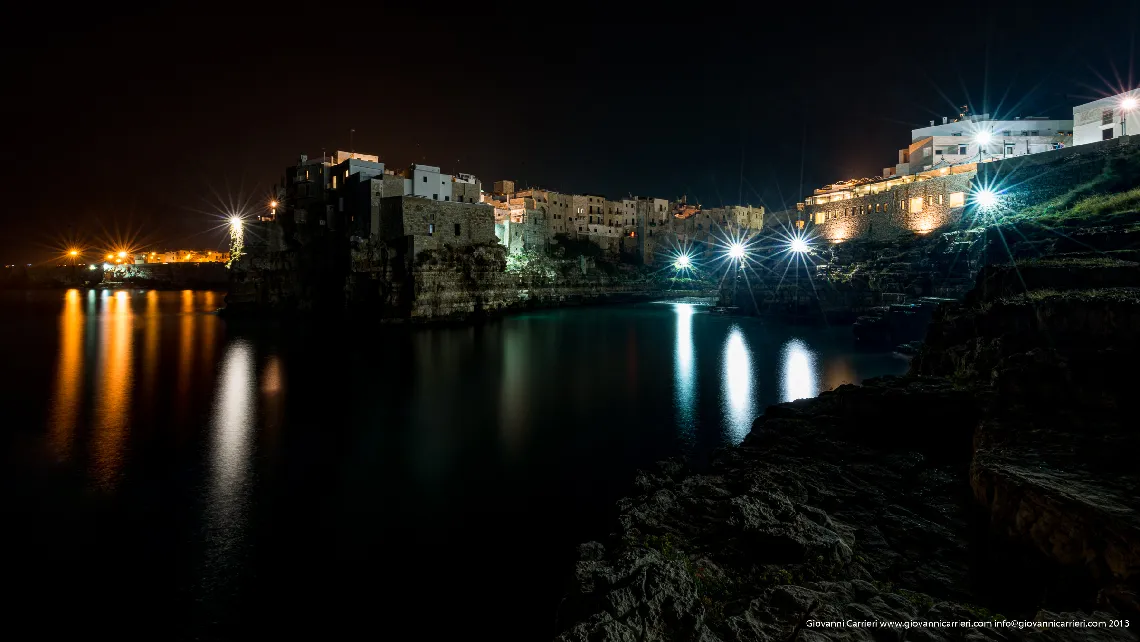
347	231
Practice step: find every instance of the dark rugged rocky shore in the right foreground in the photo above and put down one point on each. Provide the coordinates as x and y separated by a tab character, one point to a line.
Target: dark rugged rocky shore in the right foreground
1000	477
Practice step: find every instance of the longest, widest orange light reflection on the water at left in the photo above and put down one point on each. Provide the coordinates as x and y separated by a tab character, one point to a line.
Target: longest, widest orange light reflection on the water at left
115	380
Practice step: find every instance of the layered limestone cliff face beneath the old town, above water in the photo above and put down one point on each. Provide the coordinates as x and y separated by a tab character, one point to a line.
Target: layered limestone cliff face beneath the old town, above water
389	281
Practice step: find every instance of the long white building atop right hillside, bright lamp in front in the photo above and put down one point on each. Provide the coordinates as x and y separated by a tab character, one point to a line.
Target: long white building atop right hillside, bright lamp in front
980	139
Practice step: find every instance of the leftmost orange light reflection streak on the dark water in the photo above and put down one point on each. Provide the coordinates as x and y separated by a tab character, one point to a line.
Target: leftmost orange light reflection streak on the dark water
69	386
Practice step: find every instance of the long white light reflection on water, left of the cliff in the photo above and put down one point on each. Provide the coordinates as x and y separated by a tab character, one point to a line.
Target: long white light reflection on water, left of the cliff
235	408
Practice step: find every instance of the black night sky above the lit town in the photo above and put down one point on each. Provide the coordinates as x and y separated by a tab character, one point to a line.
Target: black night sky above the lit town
142	127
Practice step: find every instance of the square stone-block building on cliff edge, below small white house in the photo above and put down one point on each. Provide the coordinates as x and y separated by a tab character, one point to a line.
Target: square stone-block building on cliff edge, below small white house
429	225
